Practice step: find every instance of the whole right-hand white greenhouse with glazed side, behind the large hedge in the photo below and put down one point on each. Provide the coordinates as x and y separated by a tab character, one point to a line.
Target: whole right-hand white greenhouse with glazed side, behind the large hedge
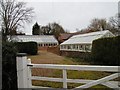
83	42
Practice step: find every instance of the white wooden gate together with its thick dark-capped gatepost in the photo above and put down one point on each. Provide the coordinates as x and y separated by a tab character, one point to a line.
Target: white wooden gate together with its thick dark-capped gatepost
25	78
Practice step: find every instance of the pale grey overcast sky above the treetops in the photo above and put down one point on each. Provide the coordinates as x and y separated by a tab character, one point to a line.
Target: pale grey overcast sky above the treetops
70	15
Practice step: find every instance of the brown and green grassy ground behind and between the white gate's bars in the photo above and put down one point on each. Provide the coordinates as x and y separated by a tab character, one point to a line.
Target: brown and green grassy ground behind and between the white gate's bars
50	58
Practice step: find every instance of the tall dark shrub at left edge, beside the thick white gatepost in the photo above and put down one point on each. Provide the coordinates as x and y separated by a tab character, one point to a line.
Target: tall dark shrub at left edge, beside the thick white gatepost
9	73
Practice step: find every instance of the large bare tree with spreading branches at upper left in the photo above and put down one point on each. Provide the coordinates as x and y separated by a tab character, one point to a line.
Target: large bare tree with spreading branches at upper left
13	15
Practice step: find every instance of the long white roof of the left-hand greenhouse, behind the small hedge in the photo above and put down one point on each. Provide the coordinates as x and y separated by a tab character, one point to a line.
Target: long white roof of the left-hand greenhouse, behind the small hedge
35	38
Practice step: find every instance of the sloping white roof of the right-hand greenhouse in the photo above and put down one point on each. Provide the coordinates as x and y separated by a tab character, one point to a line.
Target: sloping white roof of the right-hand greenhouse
86	38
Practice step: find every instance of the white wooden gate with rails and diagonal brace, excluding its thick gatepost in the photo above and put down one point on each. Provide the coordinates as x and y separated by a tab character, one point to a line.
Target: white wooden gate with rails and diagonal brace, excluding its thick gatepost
90	83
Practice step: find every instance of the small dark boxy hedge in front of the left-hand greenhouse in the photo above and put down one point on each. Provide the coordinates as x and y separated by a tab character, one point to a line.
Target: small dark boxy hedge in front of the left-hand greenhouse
27	47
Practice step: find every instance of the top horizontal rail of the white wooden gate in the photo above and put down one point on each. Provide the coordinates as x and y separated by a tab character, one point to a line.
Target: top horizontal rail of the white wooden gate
76	67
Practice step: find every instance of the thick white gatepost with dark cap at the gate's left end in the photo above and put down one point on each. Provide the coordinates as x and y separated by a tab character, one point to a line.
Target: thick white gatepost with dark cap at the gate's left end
22	70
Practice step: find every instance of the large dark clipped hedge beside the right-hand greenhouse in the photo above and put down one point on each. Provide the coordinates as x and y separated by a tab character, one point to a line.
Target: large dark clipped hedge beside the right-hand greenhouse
105	51
